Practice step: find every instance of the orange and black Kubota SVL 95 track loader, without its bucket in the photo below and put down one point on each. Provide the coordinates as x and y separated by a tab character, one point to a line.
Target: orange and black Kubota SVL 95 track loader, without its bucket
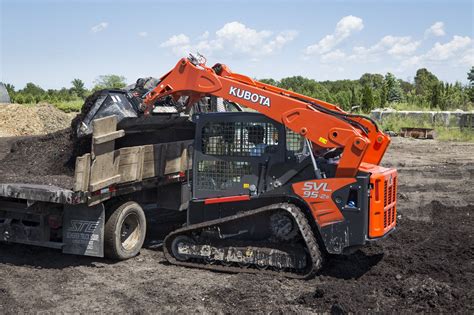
273	191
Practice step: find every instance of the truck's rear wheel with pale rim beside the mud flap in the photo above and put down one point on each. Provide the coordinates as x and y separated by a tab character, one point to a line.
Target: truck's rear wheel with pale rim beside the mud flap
125	229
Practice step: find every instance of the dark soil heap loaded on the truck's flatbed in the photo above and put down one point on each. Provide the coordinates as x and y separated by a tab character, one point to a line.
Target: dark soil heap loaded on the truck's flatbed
46	160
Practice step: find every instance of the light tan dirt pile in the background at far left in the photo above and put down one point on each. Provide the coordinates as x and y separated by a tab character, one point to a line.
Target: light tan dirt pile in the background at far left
21	120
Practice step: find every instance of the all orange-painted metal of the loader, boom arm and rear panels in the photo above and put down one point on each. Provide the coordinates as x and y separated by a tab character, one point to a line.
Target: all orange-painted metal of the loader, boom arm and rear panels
362	149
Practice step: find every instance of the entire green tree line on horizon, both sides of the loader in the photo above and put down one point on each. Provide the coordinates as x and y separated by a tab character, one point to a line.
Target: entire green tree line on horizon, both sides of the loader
366	93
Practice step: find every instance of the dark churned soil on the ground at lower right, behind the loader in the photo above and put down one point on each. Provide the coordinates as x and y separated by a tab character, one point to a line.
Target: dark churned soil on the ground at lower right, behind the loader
421	267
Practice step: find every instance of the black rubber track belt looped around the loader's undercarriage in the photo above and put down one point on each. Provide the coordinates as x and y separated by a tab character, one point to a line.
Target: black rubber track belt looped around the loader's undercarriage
305	229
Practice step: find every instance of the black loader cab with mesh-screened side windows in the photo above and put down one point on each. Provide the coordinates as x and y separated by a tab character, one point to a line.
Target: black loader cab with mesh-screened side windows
240	154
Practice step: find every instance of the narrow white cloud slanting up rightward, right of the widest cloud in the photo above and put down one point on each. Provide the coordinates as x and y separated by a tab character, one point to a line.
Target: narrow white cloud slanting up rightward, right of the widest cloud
344	28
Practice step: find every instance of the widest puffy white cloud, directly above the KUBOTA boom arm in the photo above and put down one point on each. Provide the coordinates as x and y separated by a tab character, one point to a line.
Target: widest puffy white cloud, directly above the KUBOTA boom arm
233	38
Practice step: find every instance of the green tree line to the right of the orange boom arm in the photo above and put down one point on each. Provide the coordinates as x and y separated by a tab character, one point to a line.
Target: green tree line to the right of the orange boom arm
375	90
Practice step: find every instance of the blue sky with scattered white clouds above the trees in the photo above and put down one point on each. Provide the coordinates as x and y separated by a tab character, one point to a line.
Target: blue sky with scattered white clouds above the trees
52	42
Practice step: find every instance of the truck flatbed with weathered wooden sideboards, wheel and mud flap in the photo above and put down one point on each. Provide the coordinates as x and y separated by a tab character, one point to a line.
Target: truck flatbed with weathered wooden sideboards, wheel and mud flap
103	214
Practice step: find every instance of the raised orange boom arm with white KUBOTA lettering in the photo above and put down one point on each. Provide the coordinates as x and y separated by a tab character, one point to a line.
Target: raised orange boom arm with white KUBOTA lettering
324	124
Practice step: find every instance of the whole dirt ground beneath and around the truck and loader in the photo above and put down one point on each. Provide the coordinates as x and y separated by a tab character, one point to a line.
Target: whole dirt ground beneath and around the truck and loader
426	265
